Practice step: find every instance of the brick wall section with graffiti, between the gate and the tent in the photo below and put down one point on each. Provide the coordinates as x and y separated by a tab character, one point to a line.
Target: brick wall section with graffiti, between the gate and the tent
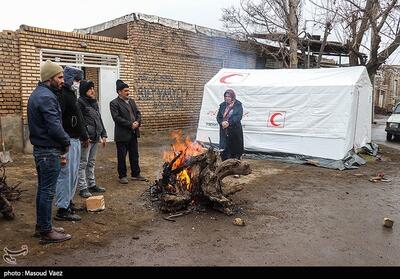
171	67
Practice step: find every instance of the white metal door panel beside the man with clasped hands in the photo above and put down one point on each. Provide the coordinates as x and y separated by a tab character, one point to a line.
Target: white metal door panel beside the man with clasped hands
108	77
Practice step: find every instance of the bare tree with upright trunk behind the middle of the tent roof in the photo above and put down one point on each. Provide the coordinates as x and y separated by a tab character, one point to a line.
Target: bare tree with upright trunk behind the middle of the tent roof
273	17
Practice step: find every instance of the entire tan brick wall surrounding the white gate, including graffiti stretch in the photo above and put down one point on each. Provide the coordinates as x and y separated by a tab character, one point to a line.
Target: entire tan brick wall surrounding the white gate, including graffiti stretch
165	67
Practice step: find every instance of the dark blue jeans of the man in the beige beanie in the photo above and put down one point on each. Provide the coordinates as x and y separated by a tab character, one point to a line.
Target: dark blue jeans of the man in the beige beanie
48	168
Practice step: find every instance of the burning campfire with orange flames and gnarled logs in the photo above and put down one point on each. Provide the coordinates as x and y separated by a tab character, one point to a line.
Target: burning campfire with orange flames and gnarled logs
192	175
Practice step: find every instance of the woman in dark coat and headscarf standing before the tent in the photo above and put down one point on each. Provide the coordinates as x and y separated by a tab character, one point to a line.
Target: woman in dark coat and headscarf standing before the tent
230	128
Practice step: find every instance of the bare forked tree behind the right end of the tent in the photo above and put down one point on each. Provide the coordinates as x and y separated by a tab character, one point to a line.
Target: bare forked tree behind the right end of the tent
370	28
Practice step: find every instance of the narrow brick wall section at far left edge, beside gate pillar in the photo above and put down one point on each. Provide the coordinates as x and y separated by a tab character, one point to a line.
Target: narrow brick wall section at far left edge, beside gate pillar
10	88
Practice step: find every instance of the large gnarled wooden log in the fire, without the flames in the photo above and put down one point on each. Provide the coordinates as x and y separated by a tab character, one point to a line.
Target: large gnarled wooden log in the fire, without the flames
206	174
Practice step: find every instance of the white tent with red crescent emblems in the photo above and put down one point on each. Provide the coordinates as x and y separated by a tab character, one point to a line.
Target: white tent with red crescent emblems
321	113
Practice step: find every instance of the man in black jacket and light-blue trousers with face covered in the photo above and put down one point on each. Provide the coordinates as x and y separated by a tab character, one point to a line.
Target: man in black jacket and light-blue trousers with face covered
74	125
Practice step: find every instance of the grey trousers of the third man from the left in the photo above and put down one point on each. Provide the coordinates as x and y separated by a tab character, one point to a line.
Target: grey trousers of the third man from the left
86	166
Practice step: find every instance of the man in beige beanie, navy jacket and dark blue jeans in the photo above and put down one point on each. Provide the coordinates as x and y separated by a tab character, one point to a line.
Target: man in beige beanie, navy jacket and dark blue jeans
49	141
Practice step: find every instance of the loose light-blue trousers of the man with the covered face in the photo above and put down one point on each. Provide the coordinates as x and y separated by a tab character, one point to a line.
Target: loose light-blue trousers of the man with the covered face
68	178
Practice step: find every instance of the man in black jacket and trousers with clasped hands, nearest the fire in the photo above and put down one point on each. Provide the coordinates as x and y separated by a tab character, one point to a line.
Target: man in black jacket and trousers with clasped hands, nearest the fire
127	120
